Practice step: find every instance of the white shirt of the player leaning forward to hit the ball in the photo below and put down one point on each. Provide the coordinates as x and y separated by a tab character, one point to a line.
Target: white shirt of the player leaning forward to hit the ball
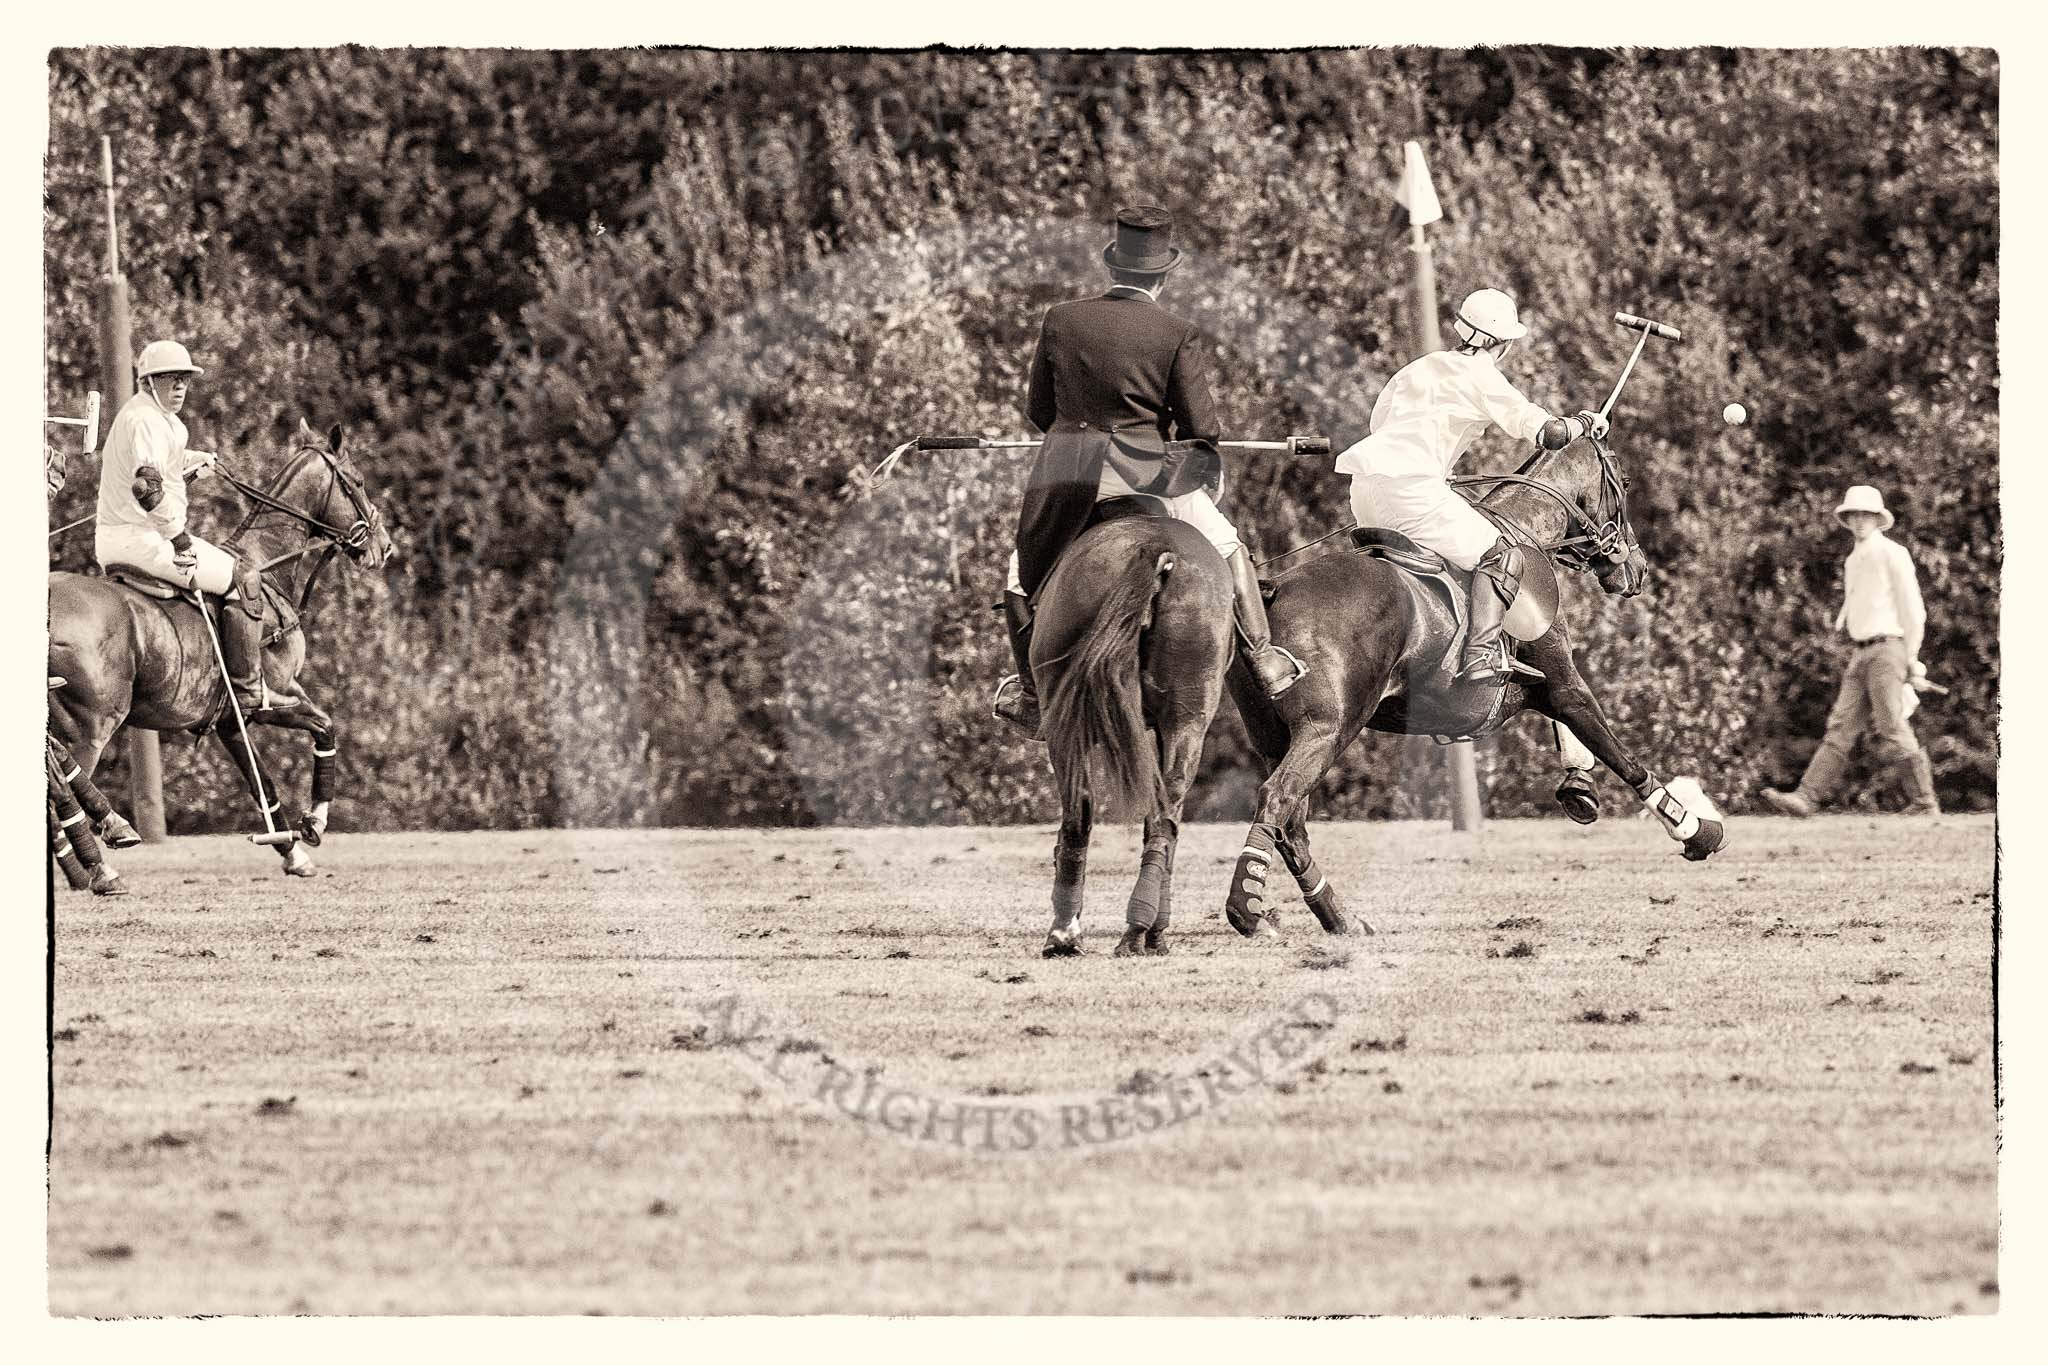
1433	410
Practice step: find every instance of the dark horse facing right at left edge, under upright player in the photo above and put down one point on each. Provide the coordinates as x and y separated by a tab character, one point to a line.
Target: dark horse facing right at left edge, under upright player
130	658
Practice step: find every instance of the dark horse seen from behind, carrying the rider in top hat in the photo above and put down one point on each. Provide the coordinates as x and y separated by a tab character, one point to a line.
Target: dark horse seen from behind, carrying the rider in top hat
1129	650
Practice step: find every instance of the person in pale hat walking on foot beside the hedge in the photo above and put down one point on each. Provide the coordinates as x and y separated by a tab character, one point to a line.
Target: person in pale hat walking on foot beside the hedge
1883	617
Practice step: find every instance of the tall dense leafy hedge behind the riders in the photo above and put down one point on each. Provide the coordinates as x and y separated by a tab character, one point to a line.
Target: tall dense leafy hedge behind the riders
620	335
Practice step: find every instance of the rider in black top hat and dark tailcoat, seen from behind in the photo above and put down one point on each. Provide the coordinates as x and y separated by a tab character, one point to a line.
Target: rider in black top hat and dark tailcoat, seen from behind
1121	392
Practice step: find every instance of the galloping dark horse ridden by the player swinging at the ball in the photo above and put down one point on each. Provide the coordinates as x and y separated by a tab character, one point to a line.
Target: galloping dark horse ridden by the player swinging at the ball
1379	644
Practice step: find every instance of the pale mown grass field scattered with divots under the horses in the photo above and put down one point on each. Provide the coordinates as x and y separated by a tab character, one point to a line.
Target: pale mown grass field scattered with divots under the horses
620	1073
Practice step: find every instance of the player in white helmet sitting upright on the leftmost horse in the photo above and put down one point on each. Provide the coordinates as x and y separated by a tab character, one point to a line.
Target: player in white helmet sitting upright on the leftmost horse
140	523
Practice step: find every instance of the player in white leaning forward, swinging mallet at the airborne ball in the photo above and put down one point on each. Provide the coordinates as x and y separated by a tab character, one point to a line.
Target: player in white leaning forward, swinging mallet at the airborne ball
1424	421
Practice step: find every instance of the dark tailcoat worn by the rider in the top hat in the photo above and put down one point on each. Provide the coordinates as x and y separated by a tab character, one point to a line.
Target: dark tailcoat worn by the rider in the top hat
1115	380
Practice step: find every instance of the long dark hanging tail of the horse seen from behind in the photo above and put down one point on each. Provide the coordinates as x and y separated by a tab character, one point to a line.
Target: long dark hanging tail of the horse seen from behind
1097	703
